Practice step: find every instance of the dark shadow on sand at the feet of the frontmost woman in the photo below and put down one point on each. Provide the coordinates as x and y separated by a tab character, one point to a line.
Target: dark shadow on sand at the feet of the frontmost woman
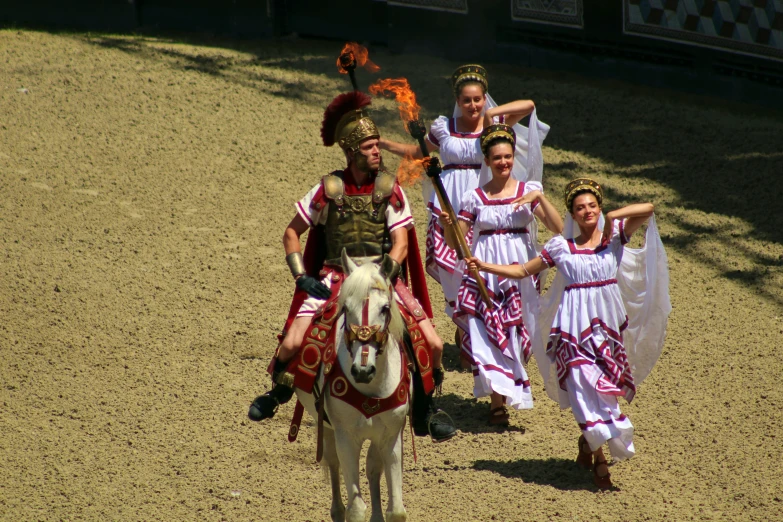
559	473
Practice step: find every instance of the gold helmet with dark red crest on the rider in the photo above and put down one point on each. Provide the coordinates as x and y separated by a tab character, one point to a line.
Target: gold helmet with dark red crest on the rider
347	123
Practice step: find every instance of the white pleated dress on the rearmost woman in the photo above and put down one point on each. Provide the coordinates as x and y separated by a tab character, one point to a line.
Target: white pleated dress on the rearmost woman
461	158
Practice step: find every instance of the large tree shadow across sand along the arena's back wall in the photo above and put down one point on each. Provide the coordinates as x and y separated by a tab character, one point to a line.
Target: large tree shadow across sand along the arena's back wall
696	158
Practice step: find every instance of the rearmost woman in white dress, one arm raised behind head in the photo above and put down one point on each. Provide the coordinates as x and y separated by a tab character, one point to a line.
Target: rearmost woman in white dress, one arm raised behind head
457	141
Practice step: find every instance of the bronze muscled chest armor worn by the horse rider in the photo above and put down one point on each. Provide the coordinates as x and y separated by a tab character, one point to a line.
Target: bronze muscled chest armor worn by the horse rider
357	223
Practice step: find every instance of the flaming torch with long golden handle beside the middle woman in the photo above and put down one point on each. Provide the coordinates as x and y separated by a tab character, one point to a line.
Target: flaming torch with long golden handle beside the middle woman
409	112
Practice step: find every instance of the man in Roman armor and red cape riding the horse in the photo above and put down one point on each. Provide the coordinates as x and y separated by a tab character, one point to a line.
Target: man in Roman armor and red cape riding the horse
363	210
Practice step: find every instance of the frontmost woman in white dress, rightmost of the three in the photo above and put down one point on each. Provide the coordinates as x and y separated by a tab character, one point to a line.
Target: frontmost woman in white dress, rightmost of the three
586	339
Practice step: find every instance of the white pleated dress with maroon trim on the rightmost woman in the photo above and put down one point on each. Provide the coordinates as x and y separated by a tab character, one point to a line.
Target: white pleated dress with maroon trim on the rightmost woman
586	340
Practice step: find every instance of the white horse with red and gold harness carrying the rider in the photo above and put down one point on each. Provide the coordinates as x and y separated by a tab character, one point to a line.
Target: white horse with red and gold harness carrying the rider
368	339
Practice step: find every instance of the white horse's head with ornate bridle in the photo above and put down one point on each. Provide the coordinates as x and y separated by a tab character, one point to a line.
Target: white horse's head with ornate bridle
371	315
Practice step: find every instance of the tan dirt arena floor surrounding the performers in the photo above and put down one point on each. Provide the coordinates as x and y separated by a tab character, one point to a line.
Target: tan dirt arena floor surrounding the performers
145	183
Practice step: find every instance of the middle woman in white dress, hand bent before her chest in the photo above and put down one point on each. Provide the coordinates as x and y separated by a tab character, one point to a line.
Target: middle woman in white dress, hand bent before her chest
500	215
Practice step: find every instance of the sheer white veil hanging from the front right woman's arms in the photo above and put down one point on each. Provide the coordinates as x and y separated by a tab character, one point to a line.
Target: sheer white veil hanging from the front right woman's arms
643	278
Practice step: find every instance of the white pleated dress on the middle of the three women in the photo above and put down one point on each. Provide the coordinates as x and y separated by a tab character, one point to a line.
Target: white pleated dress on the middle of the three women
498	341
